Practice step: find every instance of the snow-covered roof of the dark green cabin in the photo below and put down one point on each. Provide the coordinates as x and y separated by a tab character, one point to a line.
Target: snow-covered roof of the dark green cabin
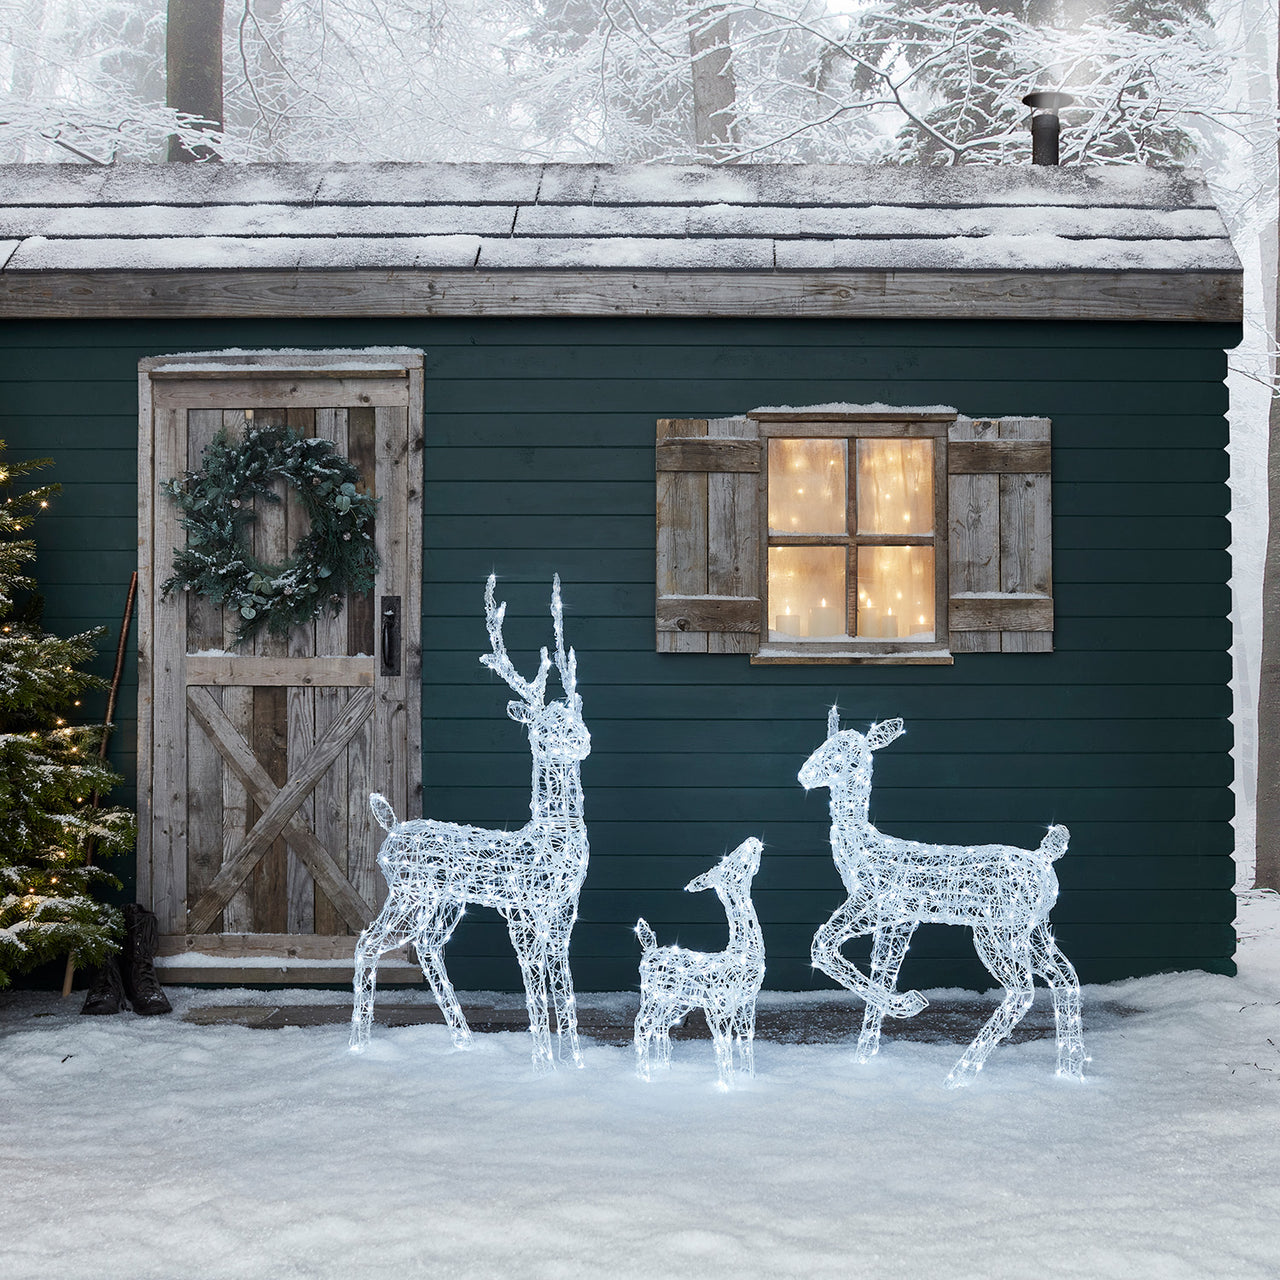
860	227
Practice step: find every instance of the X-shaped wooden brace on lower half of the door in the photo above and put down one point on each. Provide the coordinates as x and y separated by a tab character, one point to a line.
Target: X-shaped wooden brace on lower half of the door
278	808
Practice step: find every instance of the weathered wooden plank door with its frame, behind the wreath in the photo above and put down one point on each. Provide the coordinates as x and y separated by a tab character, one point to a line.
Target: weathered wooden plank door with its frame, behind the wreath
255	761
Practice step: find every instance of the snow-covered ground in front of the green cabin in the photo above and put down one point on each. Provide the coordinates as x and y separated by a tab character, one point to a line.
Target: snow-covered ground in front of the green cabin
158	1149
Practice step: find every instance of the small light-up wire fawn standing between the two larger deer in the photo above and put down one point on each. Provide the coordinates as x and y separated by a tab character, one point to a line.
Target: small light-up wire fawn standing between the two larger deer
723	984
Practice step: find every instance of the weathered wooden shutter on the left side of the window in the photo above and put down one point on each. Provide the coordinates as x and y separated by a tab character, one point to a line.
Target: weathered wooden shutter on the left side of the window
710	534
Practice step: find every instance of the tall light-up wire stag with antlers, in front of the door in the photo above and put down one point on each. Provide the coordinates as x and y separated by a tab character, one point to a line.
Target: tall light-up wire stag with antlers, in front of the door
532	876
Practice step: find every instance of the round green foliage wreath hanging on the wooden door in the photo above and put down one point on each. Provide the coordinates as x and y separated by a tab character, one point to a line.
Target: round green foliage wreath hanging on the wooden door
336	556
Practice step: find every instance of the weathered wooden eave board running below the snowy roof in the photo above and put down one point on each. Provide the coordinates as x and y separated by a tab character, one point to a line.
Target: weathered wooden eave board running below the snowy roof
939	295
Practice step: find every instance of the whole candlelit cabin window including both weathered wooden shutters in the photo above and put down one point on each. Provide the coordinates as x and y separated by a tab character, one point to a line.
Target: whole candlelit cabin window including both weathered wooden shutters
844	534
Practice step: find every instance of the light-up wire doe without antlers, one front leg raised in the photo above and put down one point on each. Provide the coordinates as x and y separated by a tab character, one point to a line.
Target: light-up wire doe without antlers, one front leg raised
1002	893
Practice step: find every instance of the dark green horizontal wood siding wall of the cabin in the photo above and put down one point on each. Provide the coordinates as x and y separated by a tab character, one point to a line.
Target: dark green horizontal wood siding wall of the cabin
541	459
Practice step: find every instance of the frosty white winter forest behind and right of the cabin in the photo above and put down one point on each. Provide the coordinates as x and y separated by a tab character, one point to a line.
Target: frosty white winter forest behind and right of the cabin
682	81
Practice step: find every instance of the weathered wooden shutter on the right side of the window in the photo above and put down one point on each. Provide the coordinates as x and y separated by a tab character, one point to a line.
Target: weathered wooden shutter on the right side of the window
1000	548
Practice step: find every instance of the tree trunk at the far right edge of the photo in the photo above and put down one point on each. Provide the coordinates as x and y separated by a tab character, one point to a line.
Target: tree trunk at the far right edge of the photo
1268	868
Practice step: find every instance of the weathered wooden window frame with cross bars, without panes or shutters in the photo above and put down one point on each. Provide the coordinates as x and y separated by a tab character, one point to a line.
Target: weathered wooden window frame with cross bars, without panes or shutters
853	427
